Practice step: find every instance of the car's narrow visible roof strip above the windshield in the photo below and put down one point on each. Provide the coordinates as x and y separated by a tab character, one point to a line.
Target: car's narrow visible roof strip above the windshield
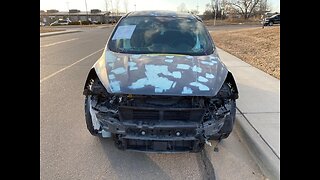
163	13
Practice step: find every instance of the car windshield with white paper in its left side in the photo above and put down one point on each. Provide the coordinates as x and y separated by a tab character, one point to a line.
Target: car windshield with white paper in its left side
169	35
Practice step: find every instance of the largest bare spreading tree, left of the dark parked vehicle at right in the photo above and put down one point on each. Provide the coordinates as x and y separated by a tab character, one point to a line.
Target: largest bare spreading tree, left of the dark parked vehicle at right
245	7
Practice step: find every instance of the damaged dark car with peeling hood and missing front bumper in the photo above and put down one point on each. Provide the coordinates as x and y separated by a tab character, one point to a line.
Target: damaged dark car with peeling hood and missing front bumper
160	85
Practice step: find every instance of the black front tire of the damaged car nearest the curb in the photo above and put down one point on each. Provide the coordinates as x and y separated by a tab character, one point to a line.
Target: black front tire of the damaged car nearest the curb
227	127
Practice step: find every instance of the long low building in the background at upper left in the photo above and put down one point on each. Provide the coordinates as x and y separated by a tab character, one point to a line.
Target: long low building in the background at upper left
75	15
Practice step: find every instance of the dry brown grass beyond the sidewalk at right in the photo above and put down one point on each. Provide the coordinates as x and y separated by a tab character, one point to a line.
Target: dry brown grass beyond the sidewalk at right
256	46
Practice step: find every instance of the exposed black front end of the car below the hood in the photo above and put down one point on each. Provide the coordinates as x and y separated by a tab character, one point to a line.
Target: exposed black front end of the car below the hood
157	122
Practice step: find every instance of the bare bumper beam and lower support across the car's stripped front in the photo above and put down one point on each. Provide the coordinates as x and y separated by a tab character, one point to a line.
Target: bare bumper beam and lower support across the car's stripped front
160	136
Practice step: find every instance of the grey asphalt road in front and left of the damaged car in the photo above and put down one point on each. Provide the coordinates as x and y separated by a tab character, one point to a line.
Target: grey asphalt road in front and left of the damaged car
68	151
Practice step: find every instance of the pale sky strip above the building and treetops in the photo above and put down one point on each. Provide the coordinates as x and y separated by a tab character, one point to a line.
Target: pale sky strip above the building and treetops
64	5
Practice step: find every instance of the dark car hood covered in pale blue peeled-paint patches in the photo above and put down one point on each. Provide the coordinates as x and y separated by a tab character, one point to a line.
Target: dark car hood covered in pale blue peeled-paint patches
161	74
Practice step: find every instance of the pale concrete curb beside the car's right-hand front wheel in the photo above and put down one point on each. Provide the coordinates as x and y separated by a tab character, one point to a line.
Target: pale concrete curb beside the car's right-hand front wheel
268	162
